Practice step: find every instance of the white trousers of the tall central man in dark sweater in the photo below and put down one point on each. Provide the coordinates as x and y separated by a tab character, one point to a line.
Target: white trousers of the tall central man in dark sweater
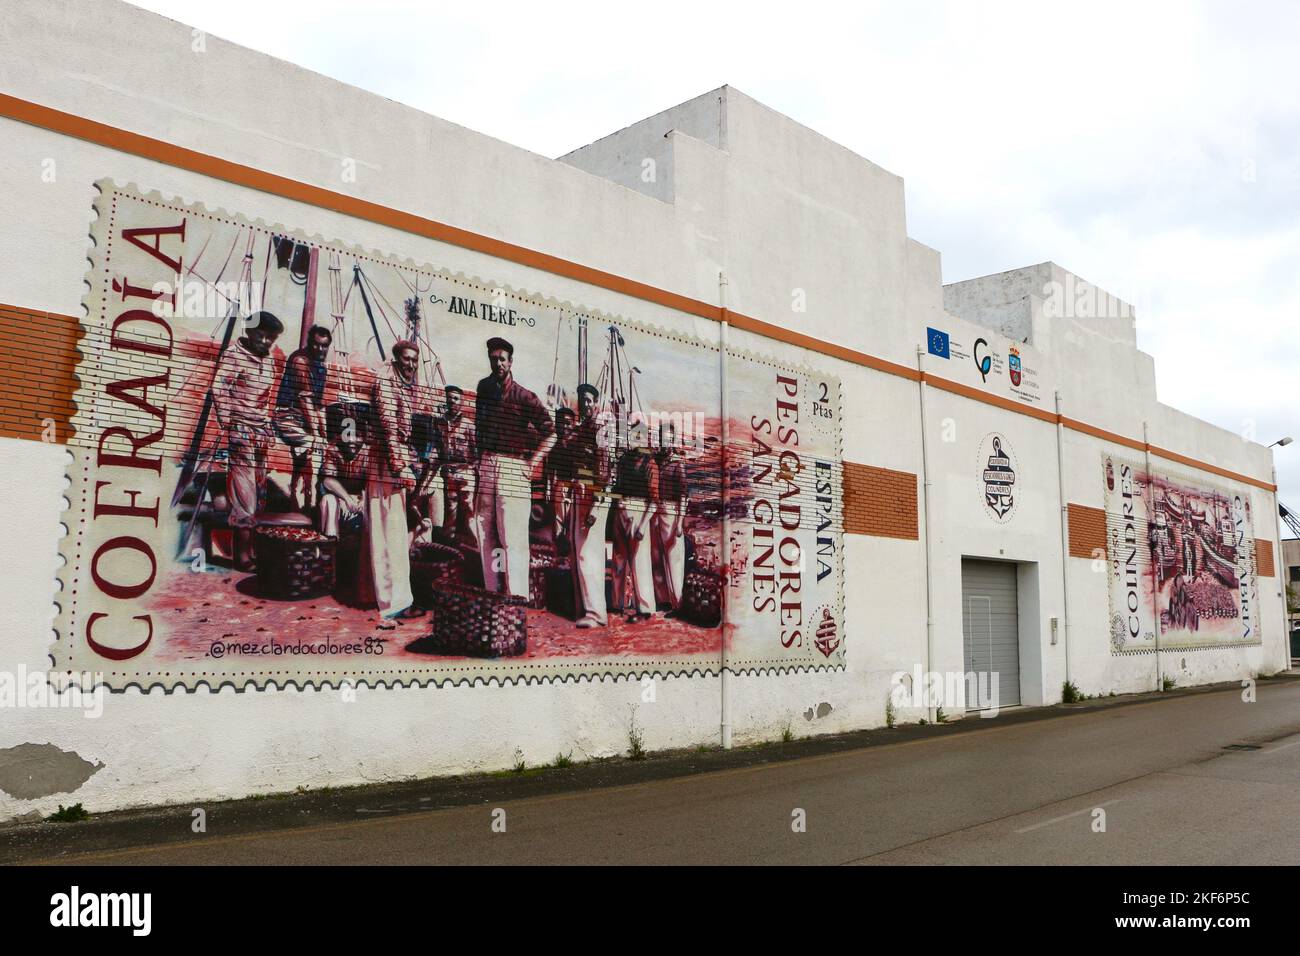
504	501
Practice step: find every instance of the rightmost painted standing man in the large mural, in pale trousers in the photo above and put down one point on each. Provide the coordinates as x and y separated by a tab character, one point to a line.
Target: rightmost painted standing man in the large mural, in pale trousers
638	488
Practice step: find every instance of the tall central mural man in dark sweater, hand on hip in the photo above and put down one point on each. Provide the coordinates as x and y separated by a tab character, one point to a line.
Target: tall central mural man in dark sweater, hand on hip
515	434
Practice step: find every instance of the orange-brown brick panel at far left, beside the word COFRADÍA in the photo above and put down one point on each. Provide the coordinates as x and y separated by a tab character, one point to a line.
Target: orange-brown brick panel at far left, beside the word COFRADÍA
38	358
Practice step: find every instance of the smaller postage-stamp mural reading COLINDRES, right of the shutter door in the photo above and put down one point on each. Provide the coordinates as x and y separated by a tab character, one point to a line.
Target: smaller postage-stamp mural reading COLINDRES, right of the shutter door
1181	559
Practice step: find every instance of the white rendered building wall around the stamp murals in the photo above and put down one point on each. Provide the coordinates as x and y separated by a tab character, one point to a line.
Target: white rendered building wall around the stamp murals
812	239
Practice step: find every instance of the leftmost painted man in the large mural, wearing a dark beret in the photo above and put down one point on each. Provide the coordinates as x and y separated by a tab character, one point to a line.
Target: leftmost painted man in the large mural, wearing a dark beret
241	397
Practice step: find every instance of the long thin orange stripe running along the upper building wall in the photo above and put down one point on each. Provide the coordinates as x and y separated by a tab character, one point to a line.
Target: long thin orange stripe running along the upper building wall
240	175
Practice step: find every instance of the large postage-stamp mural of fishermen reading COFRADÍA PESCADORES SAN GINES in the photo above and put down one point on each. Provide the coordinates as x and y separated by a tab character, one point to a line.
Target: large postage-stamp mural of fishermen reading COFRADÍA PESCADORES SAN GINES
300	462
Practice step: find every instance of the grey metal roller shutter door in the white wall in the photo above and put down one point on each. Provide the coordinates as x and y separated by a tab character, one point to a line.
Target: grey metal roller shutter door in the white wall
991	626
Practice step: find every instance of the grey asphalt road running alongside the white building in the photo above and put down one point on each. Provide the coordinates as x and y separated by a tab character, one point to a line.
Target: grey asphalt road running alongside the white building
1017	793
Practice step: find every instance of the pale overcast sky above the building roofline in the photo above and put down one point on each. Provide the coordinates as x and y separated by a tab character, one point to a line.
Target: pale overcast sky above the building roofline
1152	149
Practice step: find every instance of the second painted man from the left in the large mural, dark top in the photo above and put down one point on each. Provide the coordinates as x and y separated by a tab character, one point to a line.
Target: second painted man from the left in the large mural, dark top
300	410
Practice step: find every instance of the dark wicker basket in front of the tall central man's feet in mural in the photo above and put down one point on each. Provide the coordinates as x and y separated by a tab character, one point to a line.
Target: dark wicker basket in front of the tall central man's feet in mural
478	624
